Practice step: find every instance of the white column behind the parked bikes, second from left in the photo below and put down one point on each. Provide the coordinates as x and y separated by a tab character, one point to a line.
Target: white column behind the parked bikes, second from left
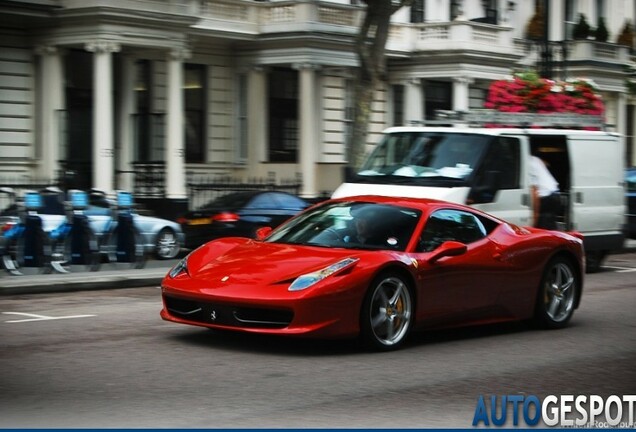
103	124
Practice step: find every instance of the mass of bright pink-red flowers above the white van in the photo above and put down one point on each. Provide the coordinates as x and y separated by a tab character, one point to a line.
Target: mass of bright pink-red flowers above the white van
526	92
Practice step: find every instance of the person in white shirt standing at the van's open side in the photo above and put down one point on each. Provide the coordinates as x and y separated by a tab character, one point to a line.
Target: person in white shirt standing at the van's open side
546	201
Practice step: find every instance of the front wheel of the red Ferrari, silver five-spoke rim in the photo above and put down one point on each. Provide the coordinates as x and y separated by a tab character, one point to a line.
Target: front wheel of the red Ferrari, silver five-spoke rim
387	312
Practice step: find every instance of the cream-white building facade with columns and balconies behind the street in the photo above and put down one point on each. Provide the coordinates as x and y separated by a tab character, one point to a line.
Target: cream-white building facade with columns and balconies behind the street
104	92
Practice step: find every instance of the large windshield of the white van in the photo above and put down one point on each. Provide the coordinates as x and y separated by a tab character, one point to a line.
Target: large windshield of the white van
424	157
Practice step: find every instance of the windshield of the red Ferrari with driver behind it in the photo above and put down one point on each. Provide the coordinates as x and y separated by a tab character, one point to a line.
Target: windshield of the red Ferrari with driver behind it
356	225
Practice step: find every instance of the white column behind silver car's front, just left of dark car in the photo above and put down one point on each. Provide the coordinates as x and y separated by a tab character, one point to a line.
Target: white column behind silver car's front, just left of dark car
175	151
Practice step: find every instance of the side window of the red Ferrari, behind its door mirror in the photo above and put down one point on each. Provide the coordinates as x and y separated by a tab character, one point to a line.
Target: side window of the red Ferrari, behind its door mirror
447	225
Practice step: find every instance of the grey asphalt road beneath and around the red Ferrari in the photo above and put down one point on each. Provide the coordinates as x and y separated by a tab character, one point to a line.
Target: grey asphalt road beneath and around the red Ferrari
104	359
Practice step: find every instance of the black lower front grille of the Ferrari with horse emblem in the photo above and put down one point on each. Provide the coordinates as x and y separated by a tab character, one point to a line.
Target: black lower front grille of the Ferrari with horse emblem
227	315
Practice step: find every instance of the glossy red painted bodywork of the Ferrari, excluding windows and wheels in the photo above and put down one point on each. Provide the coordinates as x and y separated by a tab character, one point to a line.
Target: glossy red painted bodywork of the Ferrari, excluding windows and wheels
495	280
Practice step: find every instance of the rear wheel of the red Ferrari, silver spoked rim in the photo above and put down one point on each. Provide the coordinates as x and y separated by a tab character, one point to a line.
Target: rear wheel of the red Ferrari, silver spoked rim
558	293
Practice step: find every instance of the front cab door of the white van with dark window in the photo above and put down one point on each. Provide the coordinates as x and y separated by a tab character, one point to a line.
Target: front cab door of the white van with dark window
500	186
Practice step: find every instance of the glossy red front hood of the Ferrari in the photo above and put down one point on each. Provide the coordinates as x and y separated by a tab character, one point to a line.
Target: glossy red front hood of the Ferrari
250	262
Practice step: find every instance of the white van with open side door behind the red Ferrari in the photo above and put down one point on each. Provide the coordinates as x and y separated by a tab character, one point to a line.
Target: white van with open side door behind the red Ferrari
488	169
